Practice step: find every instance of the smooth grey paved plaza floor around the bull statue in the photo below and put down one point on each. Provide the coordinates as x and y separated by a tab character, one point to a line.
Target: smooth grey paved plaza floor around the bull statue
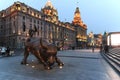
79	65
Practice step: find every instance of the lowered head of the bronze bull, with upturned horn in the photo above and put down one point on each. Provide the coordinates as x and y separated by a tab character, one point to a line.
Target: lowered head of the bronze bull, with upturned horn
49	53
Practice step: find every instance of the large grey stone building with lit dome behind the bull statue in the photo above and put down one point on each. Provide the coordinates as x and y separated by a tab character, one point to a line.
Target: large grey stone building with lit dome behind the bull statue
17	20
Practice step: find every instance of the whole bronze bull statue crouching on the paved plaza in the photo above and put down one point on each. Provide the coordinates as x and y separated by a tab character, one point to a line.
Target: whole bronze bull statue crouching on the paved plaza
45	53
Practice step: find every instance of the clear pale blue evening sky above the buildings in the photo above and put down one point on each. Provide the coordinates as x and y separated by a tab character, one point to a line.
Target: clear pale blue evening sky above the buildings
98	15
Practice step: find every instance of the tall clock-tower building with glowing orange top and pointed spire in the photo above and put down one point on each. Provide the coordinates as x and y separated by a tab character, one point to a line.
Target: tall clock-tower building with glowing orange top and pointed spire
81	29
